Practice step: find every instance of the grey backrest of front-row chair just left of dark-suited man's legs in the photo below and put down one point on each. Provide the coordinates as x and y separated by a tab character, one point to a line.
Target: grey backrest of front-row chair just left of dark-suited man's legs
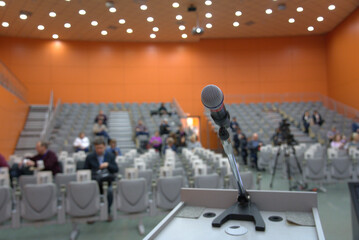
82	199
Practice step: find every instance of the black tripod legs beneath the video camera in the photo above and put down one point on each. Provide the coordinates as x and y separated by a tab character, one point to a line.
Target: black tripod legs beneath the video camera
287	152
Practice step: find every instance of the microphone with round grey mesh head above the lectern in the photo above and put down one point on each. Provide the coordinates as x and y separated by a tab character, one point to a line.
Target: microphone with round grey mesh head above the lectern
212	98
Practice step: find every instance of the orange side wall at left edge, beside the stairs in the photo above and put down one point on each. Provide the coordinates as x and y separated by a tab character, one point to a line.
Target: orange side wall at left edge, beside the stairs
13	114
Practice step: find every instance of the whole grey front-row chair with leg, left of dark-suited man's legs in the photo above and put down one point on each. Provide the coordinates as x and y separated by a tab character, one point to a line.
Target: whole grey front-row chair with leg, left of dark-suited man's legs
83	203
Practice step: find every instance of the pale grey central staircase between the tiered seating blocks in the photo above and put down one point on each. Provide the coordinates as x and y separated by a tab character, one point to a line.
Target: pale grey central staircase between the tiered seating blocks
120	129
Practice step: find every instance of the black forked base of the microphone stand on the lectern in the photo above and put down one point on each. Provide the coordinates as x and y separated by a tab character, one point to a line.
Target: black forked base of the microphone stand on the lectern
241	211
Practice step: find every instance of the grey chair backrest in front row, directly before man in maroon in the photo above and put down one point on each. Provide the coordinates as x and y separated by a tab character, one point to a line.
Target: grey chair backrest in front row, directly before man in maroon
38	202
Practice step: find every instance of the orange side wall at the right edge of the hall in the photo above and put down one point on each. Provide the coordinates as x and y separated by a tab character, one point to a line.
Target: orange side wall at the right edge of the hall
343	61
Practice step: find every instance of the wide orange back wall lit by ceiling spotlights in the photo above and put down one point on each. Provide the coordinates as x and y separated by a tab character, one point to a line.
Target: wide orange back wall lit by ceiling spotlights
128	72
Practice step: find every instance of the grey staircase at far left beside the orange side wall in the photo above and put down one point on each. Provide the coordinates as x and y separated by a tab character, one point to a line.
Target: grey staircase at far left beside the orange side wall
32	130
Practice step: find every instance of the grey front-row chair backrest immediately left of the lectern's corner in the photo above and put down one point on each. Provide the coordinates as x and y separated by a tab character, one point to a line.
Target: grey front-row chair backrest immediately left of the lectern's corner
168	193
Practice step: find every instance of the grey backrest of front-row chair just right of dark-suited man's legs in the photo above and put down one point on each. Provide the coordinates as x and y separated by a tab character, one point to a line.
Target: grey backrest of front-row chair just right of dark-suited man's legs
132	195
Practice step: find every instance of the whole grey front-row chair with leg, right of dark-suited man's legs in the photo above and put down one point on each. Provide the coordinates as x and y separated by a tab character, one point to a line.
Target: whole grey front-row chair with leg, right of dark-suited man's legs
131	198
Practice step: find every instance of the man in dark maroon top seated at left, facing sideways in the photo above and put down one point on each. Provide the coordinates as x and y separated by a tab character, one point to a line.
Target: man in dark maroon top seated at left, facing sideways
48	158
